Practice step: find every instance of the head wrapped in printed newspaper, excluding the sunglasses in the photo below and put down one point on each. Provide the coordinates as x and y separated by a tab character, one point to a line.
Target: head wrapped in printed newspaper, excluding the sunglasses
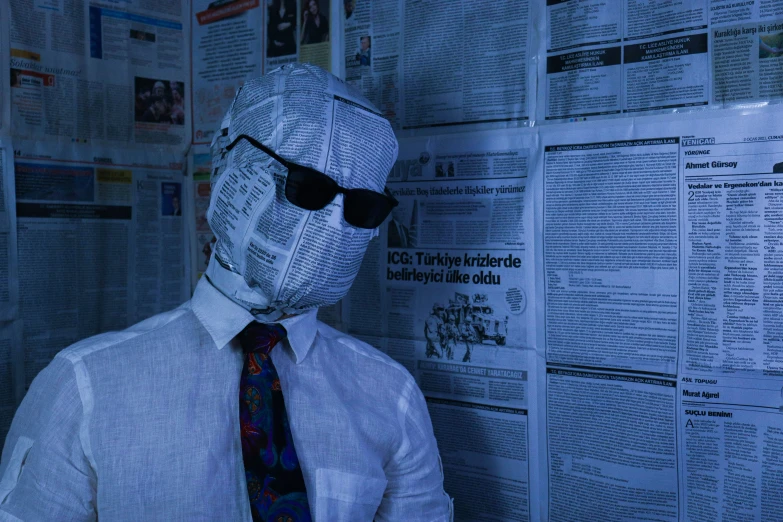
271	256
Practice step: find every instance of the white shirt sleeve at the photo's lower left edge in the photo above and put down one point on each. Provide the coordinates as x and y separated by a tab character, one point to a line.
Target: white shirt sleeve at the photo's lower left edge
44	473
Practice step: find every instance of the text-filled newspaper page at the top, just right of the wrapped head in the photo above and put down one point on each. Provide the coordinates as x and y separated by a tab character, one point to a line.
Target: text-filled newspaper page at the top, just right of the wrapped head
428	65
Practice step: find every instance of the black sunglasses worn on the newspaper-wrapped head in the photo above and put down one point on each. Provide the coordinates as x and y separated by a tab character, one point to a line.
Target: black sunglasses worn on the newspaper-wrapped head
312	190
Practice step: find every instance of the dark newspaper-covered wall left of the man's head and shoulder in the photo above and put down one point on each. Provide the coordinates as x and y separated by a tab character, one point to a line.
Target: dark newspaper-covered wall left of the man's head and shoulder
95	121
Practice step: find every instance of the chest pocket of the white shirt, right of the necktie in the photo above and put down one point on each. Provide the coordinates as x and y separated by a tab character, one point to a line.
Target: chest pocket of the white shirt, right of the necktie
343	496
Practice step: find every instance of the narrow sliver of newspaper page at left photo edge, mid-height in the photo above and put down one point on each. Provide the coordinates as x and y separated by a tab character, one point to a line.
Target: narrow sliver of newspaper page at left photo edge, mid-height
9	274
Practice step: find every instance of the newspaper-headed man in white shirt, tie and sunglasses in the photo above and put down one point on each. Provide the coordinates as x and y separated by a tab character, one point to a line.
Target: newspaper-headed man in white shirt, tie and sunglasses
239	405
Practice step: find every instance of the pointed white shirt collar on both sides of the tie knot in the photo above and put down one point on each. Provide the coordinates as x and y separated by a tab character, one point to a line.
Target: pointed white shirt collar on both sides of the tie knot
224	319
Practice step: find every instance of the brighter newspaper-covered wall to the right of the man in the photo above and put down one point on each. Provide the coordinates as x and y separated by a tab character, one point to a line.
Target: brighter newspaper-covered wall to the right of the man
591	309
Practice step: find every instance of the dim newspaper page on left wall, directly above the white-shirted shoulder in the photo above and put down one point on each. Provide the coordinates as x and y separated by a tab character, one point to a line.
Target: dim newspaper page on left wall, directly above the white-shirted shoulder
101	242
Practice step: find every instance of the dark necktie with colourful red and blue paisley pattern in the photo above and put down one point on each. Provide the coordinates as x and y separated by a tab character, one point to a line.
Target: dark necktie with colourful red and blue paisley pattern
275	483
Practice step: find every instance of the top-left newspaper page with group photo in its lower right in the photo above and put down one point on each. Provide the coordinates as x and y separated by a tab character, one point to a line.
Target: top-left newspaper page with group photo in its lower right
100	73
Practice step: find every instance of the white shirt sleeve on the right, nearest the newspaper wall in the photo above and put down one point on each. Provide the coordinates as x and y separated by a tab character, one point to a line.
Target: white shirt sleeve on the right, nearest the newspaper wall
414	473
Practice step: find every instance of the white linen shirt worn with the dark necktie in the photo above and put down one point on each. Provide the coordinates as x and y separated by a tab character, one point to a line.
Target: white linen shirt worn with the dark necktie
143	424
